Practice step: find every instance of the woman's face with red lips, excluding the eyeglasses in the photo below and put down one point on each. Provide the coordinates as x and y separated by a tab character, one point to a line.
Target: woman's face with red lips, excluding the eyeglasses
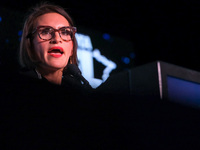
49	52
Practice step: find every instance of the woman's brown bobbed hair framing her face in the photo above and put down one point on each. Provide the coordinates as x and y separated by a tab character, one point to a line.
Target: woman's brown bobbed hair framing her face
26	54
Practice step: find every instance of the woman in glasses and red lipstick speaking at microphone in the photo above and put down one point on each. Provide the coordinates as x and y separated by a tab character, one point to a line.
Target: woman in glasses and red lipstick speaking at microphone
49	45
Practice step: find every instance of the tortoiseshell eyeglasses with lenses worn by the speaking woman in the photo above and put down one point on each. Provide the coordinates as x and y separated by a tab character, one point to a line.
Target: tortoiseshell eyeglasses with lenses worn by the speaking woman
47	32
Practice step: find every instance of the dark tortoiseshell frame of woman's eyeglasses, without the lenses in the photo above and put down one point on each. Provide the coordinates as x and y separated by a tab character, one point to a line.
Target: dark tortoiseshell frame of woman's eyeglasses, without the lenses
72	29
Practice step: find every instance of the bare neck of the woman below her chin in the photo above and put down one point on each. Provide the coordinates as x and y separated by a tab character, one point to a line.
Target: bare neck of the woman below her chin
53	76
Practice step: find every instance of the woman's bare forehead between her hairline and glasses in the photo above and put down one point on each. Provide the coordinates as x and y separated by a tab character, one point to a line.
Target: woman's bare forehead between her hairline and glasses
54	20
